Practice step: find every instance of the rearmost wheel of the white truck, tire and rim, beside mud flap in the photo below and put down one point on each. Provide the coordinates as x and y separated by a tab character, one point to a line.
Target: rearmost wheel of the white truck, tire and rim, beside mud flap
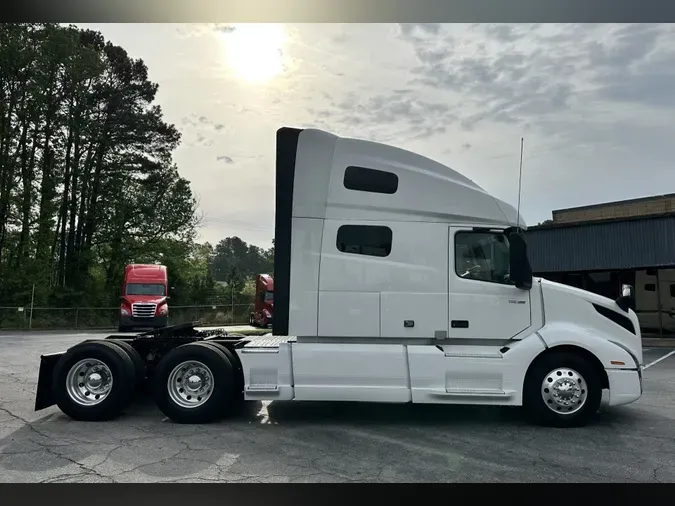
94	381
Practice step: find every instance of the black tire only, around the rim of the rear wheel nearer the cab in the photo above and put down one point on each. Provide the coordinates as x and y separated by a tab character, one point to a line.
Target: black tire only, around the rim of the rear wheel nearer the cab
220	400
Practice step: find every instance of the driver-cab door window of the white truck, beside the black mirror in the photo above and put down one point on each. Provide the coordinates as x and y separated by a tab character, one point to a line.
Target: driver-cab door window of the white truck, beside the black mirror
482	256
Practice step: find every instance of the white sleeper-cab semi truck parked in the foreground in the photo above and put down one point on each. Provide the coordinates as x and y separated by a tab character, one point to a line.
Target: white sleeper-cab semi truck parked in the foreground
397	280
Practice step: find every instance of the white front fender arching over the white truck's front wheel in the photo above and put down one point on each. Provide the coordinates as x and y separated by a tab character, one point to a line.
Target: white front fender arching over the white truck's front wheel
611	355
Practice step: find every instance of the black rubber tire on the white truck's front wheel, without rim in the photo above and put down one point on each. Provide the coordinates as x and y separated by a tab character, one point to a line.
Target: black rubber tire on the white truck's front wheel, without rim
589	384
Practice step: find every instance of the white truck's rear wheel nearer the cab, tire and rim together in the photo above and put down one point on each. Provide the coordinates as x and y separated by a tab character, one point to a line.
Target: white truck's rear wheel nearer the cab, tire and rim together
194	384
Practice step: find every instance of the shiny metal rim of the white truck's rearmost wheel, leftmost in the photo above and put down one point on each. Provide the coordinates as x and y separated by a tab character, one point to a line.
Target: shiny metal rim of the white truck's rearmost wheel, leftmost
89	382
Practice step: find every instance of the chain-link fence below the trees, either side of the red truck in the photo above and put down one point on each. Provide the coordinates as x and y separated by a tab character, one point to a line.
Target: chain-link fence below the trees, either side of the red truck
101	318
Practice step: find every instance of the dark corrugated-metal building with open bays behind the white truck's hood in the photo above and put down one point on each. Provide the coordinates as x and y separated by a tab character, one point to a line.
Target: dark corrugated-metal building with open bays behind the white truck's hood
600	255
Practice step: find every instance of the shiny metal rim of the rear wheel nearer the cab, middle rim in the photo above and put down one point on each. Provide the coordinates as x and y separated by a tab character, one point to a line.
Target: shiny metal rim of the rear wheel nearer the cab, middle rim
190	384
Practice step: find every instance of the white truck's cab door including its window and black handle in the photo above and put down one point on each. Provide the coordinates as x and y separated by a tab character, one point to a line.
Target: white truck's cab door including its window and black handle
483	304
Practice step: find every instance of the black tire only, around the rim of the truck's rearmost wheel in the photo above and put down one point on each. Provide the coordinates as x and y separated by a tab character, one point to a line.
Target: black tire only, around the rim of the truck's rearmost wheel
121	393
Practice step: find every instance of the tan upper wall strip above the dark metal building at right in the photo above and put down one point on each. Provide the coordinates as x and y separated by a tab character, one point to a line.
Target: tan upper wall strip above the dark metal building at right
626	209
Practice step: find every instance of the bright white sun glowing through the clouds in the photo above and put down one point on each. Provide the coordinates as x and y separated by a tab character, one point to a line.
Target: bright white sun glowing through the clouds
254	51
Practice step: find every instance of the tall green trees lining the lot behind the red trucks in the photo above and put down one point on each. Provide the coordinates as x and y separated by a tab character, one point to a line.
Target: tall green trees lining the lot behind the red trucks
88	183
